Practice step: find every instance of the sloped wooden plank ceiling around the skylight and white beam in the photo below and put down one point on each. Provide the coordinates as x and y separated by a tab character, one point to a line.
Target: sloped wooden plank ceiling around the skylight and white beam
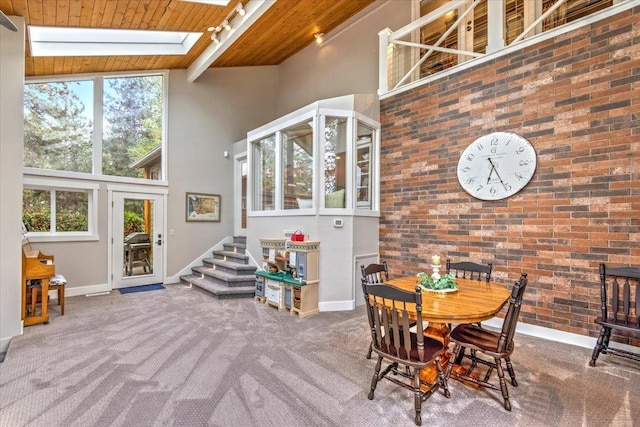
286	28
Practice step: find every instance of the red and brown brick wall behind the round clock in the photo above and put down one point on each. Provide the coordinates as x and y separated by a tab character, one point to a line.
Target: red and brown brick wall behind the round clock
576	98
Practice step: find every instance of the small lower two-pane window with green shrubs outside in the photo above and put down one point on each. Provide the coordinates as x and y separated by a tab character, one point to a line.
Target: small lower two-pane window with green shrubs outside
61	211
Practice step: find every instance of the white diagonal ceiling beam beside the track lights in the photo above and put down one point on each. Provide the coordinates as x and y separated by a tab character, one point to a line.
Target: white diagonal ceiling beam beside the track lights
239	24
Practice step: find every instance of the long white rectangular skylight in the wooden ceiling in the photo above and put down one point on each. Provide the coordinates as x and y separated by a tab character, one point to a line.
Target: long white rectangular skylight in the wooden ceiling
60	41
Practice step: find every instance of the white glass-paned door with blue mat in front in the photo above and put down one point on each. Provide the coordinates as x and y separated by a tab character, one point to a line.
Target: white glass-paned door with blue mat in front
137	245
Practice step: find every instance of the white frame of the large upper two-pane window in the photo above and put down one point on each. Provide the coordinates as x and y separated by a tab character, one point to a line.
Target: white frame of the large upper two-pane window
98	115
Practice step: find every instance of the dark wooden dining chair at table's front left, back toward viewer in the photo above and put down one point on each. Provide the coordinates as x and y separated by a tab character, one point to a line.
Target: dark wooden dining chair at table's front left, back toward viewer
388	311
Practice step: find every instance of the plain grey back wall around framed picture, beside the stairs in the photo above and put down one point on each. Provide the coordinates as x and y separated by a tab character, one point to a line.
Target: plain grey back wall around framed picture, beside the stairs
206	118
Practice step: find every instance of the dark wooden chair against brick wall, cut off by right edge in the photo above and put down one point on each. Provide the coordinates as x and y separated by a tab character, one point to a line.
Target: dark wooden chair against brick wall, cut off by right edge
620	310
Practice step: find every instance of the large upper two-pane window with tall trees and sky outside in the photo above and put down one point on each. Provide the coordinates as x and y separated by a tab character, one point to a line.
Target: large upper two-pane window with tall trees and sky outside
120	133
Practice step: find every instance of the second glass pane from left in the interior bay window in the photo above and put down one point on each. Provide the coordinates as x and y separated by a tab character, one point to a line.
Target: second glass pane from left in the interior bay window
297	170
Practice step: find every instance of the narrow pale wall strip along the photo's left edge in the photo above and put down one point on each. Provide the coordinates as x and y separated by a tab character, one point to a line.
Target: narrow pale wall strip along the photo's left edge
11	129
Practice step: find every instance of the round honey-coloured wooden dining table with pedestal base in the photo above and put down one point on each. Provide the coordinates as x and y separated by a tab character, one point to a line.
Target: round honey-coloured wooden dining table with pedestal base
474	301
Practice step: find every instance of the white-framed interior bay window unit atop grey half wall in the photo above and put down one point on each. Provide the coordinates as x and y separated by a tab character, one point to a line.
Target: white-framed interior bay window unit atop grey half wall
320	161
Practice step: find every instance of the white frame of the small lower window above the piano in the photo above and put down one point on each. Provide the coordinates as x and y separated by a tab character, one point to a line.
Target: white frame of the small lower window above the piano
53	185
